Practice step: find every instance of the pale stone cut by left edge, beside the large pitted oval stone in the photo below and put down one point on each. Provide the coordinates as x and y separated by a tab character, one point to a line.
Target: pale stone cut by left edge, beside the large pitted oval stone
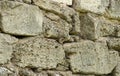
6	50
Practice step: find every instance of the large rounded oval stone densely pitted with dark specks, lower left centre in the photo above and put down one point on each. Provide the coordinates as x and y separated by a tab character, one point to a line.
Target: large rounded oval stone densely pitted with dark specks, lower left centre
38	52
